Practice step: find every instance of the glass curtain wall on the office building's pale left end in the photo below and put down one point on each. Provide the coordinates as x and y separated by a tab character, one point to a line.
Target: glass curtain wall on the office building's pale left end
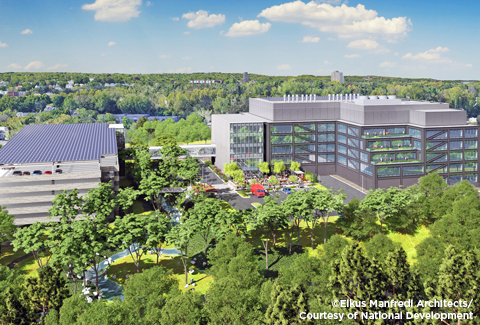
247	144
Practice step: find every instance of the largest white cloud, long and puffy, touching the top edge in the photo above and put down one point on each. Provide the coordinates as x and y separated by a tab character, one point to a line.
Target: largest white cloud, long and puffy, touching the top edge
346	22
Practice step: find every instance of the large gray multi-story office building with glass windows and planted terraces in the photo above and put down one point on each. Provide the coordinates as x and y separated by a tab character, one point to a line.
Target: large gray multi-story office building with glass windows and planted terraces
375	142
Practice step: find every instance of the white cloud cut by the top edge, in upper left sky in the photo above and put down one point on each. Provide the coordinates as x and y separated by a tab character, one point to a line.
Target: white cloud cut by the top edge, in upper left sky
114	10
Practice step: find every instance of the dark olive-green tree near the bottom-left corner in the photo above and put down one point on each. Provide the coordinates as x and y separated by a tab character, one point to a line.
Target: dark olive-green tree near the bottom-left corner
48	291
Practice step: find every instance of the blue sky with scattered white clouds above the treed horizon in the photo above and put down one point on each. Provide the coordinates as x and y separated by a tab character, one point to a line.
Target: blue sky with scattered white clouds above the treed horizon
432	39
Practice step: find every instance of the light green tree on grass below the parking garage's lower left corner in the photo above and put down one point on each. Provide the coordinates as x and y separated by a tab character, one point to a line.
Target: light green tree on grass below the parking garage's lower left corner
33	239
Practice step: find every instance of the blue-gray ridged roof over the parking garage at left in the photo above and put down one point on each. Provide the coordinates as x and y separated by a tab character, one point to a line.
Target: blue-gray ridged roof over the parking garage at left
59	142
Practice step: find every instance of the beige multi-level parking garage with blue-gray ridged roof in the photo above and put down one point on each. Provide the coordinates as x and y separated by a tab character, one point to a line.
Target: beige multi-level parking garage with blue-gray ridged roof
43	160
